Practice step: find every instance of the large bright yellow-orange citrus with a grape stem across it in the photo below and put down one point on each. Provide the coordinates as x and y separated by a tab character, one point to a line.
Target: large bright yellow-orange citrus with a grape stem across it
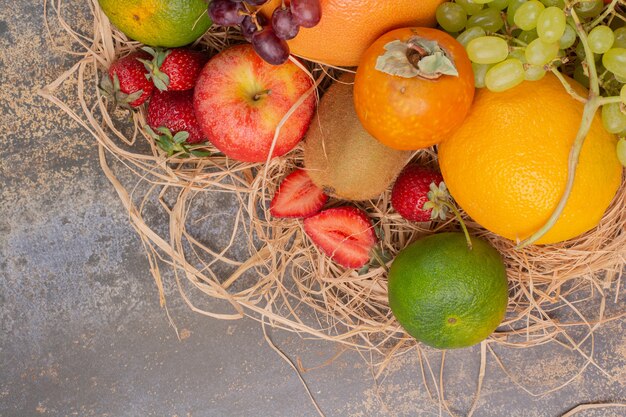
507	164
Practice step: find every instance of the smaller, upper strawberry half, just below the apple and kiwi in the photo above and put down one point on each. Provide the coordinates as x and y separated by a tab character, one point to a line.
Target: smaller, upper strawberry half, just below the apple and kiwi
297	196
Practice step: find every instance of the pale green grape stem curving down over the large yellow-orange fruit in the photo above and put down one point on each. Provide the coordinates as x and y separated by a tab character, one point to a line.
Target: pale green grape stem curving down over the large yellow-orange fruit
592	104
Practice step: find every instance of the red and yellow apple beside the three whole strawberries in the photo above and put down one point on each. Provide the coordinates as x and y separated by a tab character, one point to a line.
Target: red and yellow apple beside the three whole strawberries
239	101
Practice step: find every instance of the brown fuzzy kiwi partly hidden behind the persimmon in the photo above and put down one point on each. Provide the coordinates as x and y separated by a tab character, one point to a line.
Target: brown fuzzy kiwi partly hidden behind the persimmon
341	157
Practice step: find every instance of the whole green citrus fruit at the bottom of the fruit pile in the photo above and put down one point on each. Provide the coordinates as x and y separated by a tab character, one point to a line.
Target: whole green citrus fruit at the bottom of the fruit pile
446	295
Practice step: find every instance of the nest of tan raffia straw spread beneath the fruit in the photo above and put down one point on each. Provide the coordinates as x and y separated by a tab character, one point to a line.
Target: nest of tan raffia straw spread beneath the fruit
297	288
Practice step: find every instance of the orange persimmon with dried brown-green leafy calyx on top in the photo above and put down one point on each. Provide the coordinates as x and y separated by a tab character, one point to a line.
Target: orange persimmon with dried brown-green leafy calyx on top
413	87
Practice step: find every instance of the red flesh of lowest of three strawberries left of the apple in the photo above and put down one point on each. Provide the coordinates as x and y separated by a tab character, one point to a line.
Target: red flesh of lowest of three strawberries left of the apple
174	110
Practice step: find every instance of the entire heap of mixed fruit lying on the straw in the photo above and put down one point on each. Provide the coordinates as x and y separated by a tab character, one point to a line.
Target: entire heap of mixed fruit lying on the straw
522	148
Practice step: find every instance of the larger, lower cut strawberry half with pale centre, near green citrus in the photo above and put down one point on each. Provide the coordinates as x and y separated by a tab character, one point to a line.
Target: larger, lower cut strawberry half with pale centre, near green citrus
345	234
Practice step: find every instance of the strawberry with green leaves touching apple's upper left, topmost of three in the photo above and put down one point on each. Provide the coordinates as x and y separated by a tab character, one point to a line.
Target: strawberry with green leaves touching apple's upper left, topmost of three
174	69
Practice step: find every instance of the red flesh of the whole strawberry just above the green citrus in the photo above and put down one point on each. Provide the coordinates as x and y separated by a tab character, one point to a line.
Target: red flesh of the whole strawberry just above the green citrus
410	191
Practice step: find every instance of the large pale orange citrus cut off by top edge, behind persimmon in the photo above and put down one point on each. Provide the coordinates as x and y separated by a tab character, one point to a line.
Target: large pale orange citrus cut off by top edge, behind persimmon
348	27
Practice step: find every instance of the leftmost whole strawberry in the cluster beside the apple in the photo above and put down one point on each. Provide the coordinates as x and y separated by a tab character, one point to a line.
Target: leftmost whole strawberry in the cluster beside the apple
131	75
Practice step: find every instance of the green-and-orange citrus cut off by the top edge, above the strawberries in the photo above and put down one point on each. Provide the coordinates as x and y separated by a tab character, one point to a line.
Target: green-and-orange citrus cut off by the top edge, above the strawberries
168	23
